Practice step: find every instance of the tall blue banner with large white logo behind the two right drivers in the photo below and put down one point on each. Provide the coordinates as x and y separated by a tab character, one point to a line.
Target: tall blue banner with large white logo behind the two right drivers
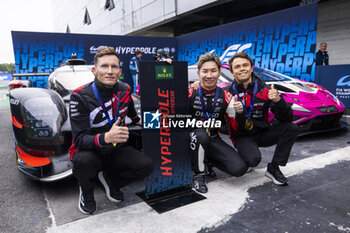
283	41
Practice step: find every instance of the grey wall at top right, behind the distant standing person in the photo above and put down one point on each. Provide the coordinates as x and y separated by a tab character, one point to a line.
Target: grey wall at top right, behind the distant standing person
333	27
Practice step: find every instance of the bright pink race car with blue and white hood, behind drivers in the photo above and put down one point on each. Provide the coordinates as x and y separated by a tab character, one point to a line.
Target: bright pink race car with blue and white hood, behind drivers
315	109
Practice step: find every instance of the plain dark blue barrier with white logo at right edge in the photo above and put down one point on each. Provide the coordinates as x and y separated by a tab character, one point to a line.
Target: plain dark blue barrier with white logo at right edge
336	79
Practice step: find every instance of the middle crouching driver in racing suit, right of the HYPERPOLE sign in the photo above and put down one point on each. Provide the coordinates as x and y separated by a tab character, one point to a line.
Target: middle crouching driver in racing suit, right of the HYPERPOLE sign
210	102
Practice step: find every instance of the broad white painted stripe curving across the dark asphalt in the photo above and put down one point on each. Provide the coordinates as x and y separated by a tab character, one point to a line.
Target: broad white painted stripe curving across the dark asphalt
226	196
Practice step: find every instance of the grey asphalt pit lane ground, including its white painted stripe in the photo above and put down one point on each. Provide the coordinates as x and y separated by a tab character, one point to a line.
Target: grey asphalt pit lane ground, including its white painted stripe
29	206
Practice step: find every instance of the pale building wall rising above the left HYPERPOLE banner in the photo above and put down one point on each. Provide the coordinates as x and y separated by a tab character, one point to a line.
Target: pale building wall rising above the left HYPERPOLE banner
127	16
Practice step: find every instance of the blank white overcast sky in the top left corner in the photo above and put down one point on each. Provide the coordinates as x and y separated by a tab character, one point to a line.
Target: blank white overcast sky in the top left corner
22	15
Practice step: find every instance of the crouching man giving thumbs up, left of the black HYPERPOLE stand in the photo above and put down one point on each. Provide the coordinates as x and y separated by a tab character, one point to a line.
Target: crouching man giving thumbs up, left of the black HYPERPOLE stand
97	115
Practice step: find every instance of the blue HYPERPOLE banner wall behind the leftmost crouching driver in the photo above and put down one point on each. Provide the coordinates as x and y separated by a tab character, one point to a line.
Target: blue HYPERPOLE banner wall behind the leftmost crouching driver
43	52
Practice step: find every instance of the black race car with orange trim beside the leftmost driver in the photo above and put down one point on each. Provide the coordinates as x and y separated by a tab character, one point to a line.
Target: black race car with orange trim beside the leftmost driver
41	125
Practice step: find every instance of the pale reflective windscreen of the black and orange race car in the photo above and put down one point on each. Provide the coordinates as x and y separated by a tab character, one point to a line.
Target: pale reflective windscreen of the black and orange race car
71	80
